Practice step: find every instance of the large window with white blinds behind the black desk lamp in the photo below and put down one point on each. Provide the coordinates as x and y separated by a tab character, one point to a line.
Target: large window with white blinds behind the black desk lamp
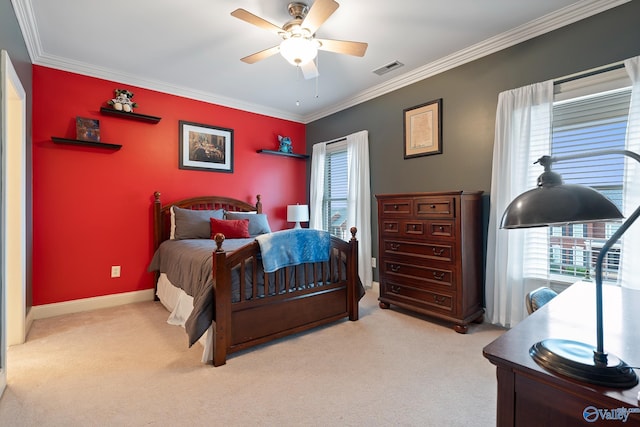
591	122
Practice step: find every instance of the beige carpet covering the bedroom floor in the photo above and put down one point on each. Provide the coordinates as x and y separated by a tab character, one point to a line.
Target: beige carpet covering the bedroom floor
126	366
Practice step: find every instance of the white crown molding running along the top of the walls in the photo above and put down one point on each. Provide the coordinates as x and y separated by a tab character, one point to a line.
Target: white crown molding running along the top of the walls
560	18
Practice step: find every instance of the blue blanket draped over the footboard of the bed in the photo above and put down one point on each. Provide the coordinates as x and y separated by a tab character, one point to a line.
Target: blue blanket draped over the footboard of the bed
294	246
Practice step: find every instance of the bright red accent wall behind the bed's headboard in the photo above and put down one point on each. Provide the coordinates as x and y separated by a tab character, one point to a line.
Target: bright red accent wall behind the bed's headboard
92	207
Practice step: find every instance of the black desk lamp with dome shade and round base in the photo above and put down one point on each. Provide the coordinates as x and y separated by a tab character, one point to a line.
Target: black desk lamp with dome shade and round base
555	203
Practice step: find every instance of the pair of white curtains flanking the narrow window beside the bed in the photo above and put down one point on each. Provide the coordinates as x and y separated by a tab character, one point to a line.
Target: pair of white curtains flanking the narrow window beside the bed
358	196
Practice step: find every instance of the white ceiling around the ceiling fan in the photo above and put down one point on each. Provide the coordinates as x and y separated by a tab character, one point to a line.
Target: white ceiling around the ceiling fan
192	48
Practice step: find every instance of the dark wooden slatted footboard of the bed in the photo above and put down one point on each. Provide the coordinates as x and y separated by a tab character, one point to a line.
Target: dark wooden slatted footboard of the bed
321	293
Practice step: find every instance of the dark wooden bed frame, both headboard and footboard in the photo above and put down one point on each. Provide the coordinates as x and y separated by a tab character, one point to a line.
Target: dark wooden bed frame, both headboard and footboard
250	322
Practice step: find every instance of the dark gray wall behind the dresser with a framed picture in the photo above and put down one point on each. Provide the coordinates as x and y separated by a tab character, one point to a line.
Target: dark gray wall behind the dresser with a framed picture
470	96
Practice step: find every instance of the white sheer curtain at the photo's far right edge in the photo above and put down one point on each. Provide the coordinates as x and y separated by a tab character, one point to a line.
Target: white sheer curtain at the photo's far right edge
630	254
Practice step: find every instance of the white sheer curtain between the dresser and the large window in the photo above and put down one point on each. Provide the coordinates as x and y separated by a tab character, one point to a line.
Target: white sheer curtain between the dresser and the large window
523	134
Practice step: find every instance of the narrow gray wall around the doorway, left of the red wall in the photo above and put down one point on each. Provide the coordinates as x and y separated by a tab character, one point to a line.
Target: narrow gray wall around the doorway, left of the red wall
11	40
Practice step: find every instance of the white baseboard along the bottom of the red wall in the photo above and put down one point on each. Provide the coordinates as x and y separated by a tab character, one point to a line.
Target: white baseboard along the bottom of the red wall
87	304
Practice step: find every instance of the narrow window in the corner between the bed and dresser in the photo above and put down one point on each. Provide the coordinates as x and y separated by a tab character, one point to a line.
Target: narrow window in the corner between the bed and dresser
334	200
